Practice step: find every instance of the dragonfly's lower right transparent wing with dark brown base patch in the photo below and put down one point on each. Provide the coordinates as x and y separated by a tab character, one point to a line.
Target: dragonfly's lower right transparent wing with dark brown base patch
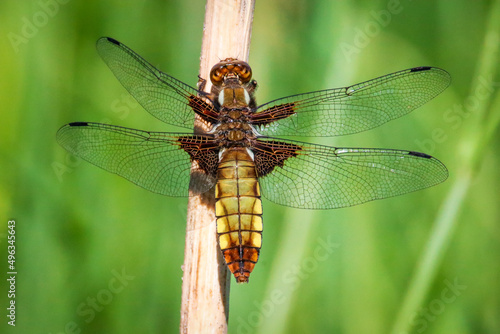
320	177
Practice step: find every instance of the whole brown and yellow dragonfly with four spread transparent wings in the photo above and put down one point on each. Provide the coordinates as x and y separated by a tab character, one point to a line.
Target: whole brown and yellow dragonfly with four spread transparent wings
240	156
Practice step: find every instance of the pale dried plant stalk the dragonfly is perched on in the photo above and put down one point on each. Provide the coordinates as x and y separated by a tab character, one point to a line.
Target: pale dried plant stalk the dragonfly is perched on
206	280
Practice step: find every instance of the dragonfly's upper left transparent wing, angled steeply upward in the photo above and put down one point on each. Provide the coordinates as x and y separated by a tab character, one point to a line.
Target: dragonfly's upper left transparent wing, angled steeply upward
163	96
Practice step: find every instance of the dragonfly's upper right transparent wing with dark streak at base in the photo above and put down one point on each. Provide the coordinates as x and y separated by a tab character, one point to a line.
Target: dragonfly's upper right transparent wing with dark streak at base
342	111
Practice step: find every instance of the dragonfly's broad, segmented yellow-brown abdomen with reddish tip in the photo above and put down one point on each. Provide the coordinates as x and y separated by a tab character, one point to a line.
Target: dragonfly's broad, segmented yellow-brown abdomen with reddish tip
239	212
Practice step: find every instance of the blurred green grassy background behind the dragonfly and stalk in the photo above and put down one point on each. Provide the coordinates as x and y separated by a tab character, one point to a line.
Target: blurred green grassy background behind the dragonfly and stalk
426	262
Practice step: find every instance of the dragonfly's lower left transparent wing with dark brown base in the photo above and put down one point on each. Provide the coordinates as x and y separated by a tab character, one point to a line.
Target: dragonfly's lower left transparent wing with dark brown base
156	161
